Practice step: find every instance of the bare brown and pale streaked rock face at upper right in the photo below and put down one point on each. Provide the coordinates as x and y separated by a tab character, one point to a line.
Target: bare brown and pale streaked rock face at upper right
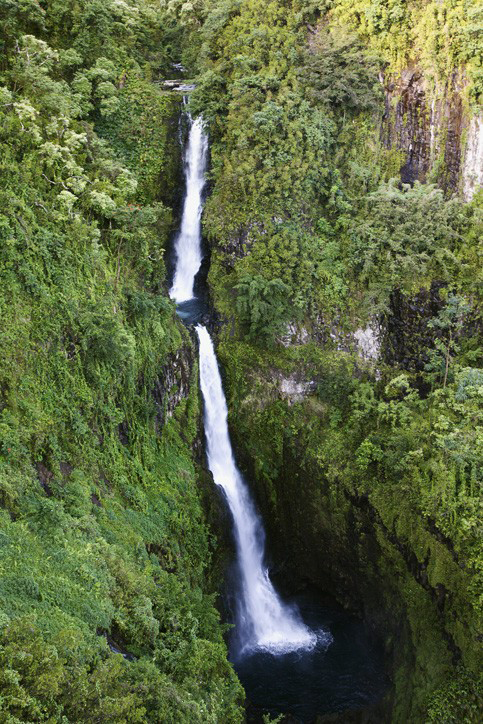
441	137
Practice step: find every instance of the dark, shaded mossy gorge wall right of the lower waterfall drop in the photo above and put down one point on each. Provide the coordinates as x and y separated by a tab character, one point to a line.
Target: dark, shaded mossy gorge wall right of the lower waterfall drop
371	550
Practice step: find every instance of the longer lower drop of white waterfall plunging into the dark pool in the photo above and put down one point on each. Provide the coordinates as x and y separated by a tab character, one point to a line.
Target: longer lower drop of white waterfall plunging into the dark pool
263	620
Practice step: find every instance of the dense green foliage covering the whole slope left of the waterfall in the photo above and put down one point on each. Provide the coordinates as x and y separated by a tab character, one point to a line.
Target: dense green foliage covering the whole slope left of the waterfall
103	544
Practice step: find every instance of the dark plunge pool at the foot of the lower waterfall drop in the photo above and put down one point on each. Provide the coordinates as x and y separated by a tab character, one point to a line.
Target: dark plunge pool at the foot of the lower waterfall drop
344	673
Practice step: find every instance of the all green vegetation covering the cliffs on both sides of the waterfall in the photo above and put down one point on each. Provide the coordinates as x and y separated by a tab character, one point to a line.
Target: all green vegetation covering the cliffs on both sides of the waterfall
104	545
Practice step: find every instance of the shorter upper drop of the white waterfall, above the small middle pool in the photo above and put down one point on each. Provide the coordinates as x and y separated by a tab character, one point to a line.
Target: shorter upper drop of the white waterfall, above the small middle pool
188	241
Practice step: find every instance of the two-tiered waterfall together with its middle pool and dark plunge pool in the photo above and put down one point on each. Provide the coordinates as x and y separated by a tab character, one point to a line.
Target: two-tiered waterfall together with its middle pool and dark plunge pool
297	657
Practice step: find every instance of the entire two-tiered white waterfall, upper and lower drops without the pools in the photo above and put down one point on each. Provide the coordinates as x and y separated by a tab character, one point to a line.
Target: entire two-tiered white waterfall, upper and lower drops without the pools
263	620
